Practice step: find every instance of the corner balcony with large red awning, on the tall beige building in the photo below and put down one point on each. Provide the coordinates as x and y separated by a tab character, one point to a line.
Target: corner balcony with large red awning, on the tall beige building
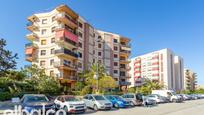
64	33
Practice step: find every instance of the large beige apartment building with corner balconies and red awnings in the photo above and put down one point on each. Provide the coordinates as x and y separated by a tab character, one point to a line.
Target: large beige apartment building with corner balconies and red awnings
65	44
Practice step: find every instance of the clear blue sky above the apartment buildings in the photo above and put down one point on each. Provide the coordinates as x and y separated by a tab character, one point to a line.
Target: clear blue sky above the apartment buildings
151	24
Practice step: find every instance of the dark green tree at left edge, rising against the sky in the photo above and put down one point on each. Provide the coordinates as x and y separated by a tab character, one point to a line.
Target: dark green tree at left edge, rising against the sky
7	59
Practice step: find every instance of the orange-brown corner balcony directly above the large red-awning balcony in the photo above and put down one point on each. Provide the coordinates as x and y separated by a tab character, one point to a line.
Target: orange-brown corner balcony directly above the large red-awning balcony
62	17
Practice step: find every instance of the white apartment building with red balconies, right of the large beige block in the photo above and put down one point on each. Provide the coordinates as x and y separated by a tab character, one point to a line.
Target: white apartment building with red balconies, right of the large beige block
161	66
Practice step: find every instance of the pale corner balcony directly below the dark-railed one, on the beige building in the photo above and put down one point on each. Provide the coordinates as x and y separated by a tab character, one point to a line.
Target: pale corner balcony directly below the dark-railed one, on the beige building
65	66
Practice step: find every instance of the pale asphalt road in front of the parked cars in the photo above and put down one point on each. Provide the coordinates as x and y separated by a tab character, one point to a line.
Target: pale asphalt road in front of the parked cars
195	107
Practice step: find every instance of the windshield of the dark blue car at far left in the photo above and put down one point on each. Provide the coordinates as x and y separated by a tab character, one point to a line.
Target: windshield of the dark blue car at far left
36	99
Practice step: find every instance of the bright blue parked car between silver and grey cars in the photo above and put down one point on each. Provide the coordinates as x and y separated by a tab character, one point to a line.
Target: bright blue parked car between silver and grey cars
117	101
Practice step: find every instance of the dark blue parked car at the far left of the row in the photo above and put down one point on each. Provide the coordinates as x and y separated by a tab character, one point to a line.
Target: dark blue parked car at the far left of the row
30	102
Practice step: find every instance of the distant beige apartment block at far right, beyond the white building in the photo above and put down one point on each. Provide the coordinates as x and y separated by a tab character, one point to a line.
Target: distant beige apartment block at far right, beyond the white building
190	79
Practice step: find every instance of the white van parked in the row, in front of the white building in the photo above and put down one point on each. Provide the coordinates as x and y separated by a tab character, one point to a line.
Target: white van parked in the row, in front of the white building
170	94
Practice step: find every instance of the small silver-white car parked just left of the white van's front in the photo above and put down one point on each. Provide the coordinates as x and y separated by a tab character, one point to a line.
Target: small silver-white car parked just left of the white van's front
158	98
